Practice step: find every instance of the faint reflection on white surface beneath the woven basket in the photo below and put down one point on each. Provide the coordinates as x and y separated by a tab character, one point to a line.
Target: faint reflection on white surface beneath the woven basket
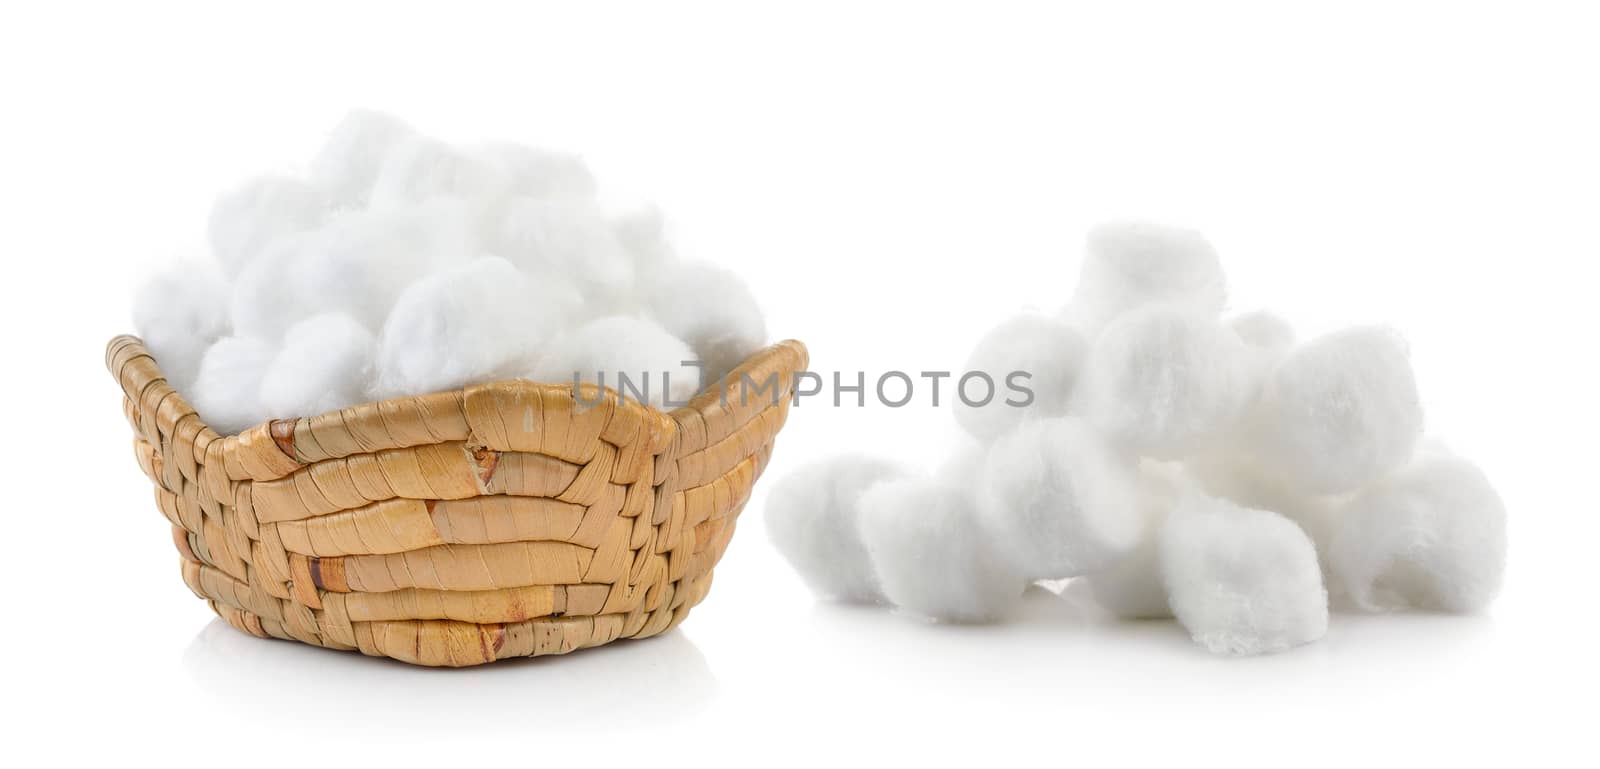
658	679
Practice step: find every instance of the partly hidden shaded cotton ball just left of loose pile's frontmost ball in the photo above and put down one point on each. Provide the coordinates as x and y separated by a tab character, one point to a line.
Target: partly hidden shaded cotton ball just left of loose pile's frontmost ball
1132	588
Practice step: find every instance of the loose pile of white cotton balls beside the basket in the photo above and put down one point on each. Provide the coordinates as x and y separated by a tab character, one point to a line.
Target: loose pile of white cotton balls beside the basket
1182	463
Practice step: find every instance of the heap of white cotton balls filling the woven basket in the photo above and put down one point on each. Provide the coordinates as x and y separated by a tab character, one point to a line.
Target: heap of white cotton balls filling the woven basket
399	265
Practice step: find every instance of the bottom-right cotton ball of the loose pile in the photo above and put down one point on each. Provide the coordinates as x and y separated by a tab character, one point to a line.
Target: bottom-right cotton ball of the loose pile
1431	536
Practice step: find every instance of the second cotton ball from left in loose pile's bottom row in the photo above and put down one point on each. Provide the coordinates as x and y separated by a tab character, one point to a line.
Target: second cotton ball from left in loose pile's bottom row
930	554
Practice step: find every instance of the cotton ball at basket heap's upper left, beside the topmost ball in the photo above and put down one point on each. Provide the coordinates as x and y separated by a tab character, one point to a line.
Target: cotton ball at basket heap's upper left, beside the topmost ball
247	220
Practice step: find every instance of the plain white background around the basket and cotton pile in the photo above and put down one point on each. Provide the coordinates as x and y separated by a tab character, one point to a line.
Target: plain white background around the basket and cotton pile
892	180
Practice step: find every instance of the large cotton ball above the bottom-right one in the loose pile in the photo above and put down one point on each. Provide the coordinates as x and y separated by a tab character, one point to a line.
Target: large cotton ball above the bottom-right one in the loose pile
1338	412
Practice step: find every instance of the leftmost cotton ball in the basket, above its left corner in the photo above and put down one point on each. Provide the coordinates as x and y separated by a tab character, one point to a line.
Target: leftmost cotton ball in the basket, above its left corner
180	314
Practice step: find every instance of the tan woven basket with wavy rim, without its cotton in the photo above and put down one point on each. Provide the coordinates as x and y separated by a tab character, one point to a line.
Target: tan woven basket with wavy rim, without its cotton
503	520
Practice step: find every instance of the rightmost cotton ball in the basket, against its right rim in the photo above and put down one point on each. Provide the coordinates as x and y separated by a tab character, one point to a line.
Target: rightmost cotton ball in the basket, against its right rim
713	311
